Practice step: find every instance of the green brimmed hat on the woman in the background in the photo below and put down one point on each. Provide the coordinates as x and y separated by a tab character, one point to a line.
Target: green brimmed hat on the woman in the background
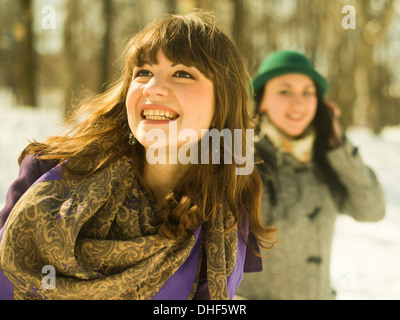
282	62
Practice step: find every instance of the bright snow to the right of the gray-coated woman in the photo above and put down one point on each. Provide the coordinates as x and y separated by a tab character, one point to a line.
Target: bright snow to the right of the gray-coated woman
366	256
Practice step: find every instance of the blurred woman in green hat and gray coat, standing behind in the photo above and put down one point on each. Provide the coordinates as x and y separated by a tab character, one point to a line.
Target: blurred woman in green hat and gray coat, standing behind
311	172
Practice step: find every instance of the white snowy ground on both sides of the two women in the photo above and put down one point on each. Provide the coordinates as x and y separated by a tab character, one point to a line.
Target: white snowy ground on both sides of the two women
366	256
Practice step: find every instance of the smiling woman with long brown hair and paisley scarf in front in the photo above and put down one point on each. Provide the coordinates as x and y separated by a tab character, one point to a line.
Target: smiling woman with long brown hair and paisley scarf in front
115	226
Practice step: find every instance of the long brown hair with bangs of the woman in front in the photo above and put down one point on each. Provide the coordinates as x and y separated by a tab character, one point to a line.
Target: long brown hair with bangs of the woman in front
193	40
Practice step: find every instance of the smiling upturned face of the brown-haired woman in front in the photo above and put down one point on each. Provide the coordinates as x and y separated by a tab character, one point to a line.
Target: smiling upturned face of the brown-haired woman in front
163	93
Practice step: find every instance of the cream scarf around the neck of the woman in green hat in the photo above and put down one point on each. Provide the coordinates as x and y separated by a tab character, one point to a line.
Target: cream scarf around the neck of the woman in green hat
300	148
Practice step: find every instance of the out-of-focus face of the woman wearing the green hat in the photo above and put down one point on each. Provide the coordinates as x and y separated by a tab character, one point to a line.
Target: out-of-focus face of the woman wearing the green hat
290	102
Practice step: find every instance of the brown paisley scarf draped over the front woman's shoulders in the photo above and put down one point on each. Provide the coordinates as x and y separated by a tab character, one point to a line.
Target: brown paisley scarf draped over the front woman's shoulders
101	236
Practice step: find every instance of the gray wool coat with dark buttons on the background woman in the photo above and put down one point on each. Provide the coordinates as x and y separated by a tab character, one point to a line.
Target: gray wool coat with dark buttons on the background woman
303	208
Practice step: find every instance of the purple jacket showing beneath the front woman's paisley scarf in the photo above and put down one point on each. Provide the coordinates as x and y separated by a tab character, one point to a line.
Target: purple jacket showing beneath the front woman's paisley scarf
180	283
